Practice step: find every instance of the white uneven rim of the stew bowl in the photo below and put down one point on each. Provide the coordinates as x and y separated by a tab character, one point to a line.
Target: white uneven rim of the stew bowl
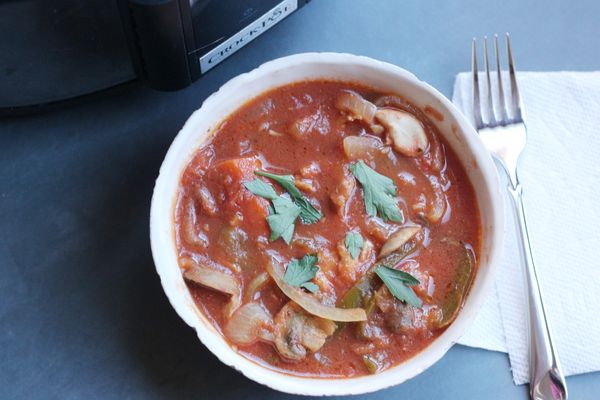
293	384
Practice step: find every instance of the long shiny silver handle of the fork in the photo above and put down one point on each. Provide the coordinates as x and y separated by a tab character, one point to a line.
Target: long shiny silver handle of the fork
546	380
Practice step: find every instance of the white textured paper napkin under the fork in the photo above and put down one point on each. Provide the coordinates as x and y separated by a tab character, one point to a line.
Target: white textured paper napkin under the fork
560	174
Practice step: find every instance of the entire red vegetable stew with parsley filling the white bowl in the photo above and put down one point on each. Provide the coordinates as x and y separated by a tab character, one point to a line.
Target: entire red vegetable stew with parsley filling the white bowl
306	281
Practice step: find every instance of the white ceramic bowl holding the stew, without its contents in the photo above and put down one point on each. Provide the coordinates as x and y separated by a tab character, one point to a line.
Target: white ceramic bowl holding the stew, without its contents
388	78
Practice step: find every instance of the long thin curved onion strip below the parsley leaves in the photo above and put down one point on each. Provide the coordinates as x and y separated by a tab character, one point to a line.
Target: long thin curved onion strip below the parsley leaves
311	304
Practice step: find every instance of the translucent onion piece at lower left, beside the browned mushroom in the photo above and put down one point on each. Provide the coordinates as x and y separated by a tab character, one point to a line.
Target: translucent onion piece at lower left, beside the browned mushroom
248	324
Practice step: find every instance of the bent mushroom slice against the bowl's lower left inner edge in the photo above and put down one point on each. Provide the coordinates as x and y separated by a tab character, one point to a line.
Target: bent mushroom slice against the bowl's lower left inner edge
214	279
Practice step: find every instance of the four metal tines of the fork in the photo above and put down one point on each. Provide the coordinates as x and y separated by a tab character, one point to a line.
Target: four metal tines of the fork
493	118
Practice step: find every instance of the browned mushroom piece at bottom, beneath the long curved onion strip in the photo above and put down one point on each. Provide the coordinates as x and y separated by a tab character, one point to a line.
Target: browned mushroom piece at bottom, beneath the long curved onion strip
296	333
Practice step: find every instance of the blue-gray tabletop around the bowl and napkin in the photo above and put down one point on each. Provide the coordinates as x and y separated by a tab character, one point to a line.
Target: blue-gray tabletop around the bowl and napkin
82	313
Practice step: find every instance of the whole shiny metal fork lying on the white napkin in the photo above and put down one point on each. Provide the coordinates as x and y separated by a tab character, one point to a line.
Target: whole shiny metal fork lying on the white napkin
504	134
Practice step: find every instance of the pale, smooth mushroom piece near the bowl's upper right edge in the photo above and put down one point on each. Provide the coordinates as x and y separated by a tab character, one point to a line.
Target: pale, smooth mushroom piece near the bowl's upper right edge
406	131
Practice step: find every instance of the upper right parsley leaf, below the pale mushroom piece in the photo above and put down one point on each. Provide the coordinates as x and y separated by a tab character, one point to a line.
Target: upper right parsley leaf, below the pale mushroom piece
378	192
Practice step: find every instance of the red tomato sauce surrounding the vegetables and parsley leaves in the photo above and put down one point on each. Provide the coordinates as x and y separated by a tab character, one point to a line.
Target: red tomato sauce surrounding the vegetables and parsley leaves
298	130
